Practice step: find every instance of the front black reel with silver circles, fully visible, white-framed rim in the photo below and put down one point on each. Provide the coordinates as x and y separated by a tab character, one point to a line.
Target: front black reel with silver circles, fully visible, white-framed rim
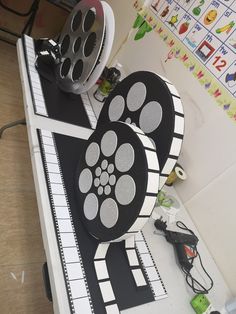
117	181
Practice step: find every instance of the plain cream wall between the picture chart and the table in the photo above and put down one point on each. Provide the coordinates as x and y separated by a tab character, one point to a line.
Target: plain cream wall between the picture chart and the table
209	148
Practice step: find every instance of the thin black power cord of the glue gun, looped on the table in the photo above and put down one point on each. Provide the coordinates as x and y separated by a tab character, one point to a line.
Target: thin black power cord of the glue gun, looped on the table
192	282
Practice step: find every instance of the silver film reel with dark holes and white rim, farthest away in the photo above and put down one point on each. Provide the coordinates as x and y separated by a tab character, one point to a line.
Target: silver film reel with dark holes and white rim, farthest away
84	45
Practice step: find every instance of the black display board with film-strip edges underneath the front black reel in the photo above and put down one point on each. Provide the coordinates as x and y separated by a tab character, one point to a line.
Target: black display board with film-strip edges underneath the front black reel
60	157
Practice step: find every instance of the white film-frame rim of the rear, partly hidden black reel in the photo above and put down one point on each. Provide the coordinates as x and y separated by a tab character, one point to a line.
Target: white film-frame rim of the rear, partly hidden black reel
178	133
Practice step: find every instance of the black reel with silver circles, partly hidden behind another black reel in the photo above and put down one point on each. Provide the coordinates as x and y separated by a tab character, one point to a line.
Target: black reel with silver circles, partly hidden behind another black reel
153	104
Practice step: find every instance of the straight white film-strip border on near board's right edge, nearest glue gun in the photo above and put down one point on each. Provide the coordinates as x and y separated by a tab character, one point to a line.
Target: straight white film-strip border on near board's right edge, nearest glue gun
150	268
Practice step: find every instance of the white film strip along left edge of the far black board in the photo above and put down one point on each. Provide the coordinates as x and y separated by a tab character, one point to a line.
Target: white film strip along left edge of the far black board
34	79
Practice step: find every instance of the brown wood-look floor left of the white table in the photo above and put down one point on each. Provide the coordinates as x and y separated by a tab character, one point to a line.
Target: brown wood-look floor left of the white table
21	248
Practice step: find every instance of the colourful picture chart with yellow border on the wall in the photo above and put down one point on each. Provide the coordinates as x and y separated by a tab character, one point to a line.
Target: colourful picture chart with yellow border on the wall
202	35
